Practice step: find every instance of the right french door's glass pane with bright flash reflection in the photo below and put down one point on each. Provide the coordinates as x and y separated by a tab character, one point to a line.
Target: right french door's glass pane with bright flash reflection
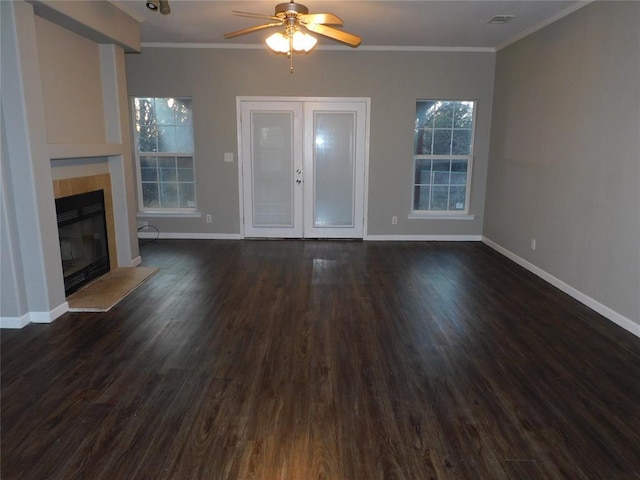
334	160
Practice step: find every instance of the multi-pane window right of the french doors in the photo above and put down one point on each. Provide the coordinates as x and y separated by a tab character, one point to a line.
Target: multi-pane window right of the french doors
442	153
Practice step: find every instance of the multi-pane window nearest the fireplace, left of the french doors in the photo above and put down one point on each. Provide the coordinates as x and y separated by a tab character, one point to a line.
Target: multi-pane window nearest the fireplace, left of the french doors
163	136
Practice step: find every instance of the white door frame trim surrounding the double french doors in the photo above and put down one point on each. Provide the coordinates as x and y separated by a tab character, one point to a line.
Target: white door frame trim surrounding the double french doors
266	99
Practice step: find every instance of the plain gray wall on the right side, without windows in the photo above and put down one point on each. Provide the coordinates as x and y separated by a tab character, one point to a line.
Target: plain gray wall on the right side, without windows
564	166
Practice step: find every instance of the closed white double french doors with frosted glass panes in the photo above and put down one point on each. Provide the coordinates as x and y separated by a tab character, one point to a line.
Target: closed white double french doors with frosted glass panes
303	167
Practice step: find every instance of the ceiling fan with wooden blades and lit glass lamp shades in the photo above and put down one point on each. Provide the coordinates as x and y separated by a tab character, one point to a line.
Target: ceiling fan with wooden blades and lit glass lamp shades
295	17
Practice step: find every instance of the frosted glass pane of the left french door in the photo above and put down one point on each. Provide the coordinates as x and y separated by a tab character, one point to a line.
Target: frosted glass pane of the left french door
272	168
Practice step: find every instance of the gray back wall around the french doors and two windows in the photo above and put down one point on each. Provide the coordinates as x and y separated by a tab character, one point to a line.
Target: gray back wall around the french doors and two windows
393	81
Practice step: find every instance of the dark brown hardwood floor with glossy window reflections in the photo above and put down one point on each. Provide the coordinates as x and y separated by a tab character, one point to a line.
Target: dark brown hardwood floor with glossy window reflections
324	360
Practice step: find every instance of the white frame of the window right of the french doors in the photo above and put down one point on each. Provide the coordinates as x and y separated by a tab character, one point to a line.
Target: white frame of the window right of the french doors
452	214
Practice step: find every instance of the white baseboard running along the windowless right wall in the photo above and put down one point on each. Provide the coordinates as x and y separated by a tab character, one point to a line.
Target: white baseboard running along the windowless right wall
598	307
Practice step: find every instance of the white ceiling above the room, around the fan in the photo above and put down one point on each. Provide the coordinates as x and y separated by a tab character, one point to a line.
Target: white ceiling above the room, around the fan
388	24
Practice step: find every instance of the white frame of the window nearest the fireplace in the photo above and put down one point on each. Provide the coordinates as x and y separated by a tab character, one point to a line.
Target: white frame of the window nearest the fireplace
159	211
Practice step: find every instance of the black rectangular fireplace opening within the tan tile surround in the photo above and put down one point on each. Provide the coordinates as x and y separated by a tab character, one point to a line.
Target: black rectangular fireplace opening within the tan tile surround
82	231
